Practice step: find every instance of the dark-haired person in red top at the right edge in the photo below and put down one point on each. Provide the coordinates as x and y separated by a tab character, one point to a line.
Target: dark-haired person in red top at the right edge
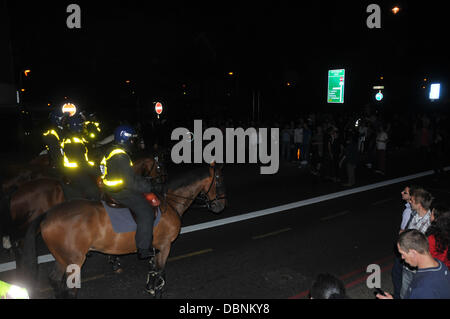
439	233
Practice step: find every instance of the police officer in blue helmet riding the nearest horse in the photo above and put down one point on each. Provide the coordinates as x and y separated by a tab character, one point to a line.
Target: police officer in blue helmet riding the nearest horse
128	189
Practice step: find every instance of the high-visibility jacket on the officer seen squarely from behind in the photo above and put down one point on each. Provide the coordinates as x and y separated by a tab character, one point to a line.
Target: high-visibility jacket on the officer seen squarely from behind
75	153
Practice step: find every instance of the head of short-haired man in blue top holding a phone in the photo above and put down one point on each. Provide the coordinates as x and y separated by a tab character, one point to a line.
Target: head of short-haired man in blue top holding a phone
412	246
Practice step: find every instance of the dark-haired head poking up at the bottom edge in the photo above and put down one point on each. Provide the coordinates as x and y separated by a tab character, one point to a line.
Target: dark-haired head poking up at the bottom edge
327	286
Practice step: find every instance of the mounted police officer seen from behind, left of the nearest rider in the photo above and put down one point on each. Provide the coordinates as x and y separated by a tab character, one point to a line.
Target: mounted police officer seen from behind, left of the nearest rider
77	166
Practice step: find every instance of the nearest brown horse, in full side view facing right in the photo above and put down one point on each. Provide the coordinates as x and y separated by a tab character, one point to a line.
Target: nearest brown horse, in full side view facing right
72	229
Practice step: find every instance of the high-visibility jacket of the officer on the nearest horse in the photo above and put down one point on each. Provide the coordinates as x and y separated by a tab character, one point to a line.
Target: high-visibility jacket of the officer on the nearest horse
117	172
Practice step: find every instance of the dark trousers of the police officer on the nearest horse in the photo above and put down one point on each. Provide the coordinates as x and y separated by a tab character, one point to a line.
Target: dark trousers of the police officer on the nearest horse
144	215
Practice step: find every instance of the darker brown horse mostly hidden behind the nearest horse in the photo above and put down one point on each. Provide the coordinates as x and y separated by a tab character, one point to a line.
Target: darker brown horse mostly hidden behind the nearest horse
37	196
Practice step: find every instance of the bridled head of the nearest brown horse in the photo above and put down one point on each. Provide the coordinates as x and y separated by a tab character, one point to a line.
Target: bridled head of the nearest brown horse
214	189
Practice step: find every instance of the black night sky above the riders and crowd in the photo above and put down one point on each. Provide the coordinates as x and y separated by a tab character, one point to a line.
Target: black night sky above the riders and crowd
159	46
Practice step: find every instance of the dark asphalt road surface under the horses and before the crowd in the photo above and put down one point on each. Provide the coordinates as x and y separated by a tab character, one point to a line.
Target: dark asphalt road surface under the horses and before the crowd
276	256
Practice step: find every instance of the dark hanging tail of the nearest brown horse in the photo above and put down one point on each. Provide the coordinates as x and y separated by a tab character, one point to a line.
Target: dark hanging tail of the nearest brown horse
29	257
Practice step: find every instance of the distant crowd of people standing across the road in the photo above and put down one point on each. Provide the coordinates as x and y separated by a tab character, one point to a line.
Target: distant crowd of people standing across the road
334	145
